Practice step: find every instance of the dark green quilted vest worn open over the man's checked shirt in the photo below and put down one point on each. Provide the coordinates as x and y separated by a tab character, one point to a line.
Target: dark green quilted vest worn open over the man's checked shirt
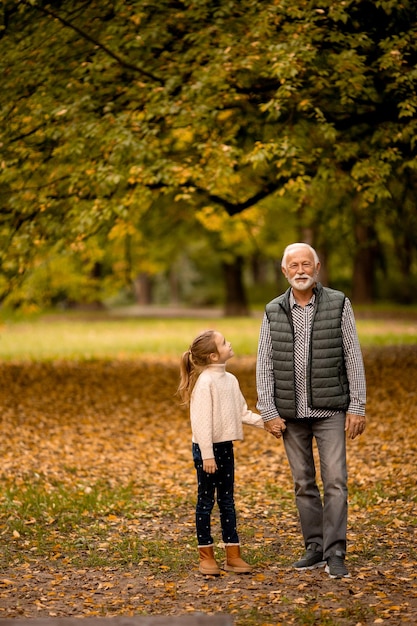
327	383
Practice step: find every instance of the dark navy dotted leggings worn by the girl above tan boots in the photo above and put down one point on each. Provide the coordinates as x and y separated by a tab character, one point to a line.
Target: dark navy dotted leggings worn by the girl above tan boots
222	482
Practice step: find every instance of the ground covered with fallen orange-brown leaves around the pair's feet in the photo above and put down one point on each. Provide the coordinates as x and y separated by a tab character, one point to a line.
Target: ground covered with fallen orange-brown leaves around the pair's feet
98	489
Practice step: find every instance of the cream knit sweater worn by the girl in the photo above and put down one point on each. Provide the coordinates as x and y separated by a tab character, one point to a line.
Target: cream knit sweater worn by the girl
218	409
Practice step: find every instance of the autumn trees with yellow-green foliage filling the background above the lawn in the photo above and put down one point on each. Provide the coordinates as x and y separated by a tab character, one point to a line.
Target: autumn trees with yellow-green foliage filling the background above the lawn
166	152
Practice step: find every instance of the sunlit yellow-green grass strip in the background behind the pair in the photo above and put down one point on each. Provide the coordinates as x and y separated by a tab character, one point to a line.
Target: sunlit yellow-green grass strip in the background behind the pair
43	339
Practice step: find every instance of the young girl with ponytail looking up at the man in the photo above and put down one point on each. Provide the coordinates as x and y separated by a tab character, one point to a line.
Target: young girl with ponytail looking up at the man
217	410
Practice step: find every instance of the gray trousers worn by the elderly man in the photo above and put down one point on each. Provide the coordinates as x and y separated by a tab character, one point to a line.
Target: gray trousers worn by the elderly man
323	520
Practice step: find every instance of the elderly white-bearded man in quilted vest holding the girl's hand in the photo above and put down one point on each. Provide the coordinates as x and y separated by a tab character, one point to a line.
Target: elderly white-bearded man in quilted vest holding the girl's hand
311	385
